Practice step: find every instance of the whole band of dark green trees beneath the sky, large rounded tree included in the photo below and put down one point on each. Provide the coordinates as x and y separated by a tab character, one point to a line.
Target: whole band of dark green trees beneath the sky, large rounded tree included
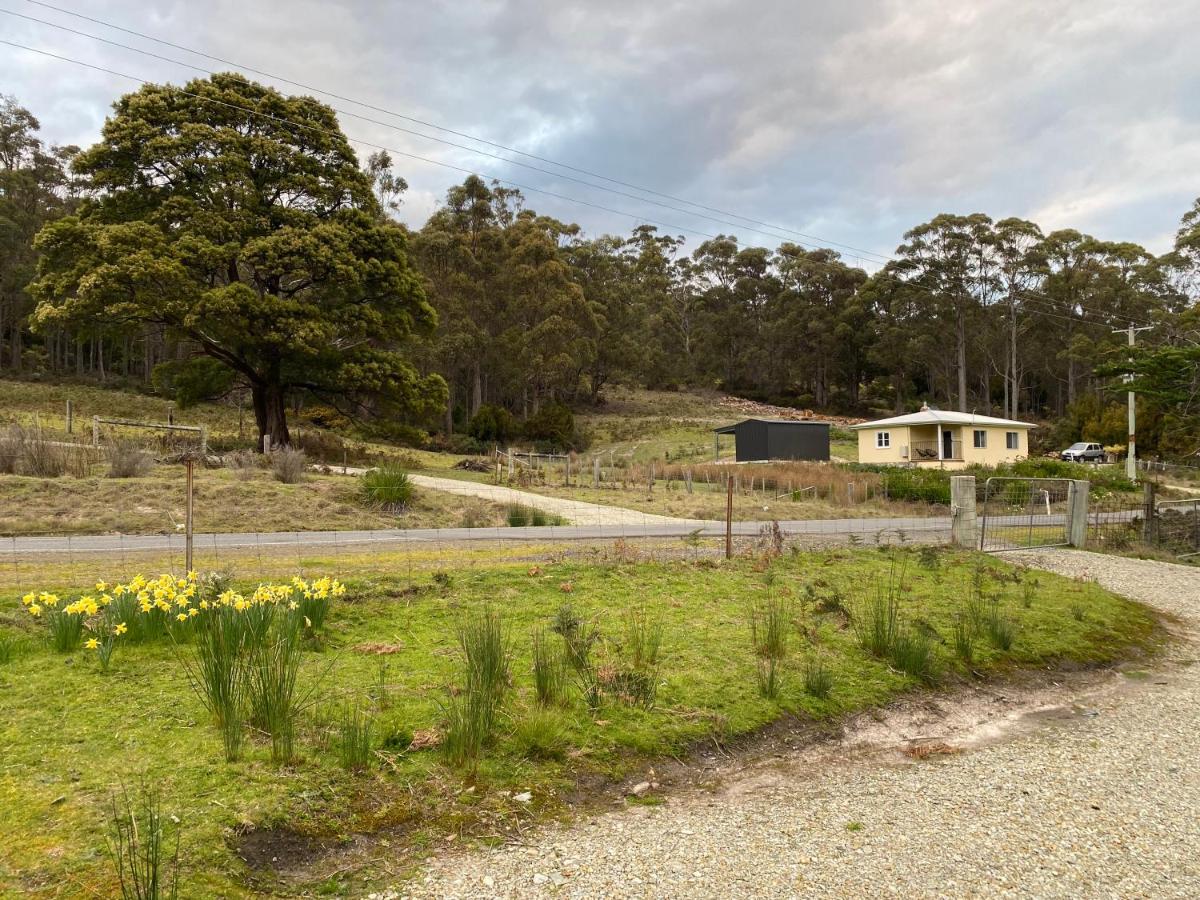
208	249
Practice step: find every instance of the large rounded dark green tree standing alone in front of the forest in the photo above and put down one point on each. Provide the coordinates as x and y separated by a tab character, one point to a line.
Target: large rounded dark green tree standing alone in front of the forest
239	219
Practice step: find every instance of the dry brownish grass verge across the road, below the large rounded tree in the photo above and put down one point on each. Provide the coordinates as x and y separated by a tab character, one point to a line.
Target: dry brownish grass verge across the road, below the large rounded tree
225	501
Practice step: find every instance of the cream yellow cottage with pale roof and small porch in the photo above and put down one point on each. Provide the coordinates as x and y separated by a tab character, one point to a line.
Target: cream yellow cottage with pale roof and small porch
941	439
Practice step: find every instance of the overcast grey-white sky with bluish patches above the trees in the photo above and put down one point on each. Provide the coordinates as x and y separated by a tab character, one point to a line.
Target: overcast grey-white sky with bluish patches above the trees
850	121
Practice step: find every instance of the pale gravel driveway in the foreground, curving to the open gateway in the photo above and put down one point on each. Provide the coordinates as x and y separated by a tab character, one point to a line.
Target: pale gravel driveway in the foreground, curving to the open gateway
1095	797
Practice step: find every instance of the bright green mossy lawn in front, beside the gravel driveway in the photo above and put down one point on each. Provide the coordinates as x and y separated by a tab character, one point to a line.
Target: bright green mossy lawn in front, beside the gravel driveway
69	735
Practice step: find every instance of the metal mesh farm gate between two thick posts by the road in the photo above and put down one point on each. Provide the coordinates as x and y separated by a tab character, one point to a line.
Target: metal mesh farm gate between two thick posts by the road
1021	513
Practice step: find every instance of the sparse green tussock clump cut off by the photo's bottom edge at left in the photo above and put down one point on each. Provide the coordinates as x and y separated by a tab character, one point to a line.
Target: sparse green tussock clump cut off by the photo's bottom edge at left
141	847
